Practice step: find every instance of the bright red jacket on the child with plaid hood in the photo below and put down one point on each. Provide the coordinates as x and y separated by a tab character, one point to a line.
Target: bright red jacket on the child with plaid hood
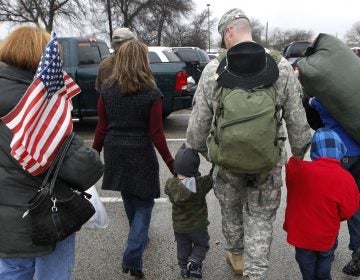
320	194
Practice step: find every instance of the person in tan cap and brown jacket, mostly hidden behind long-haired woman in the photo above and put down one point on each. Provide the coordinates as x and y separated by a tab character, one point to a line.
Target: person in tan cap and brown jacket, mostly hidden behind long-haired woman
119	36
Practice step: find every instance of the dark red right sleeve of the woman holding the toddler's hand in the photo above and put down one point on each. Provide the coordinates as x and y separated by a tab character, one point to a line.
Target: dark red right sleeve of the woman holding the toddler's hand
157	134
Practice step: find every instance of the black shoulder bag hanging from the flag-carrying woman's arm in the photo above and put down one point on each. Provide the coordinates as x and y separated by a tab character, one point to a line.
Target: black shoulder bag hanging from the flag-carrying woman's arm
56	213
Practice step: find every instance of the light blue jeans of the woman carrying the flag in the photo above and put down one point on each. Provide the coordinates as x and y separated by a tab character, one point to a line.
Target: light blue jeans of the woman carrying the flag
57	265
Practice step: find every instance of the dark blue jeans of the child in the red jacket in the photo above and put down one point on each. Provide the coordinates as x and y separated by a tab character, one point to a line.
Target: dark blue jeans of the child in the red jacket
314	265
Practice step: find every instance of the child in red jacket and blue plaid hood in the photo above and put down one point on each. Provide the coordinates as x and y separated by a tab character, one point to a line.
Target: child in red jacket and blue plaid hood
320	195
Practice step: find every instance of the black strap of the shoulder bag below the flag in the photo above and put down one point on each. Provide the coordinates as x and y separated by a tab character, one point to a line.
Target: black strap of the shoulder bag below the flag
56	163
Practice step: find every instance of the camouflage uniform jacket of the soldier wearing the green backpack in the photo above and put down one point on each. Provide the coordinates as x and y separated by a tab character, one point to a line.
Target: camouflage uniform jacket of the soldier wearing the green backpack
289	96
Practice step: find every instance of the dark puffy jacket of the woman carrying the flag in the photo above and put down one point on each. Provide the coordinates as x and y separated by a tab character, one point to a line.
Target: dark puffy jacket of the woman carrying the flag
82	167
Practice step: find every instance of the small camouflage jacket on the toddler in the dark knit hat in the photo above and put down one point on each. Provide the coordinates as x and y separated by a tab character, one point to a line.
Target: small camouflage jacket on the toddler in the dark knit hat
189	210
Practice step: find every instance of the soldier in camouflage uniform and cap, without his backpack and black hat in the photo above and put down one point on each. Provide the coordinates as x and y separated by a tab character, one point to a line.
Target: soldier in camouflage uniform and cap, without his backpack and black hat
246	223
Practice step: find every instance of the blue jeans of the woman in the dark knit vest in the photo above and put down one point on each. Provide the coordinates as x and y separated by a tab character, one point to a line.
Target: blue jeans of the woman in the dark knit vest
138	212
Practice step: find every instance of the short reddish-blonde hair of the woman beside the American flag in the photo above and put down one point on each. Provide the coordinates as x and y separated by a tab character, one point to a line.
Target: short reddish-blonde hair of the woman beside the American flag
23	47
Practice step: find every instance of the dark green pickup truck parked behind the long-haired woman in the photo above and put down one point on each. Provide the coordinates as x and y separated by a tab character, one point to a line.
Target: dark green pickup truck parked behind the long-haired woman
81	59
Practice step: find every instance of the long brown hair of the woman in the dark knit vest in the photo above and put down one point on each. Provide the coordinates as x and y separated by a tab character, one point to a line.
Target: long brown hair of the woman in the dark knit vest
132	69
